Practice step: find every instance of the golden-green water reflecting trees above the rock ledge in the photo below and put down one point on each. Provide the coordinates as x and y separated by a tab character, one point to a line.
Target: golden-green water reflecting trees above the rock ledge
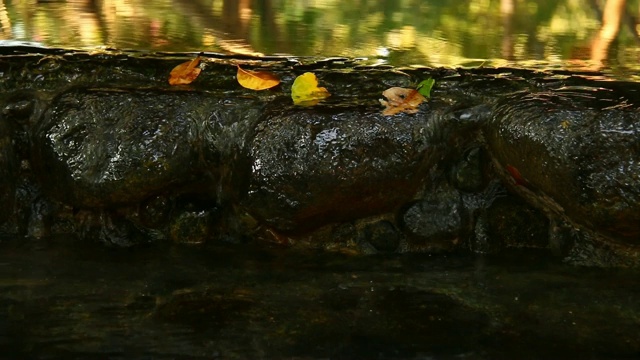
532	33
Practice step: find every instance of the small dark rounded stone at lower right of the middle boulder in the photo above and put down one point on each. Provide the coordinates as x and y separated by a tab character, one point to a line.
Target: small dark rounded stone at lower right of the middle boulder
435	222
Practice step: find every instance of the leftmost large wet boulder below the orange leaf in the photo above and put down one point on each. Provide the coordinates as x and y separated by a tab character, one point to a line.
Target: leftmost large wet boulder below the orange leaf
98	148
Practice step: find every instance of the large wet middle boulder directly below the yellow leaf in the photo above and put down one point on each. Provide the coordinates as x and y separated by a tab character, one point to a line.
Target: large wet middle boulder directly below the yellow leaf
314	167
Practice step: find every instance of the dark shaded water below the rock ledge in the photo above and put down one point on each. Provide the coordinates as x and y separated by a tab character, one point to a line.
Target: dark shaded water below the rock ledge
83	301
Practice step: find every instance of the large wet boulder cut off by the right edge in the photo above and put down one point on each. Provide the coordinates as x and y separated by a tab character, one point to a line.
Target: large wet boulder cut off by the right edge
574	153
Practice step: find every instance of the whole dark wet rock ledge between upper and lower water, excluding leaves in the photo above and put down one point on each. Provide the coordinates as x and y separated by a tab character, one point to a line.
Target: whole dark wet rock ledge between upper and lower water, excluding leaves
101	147
